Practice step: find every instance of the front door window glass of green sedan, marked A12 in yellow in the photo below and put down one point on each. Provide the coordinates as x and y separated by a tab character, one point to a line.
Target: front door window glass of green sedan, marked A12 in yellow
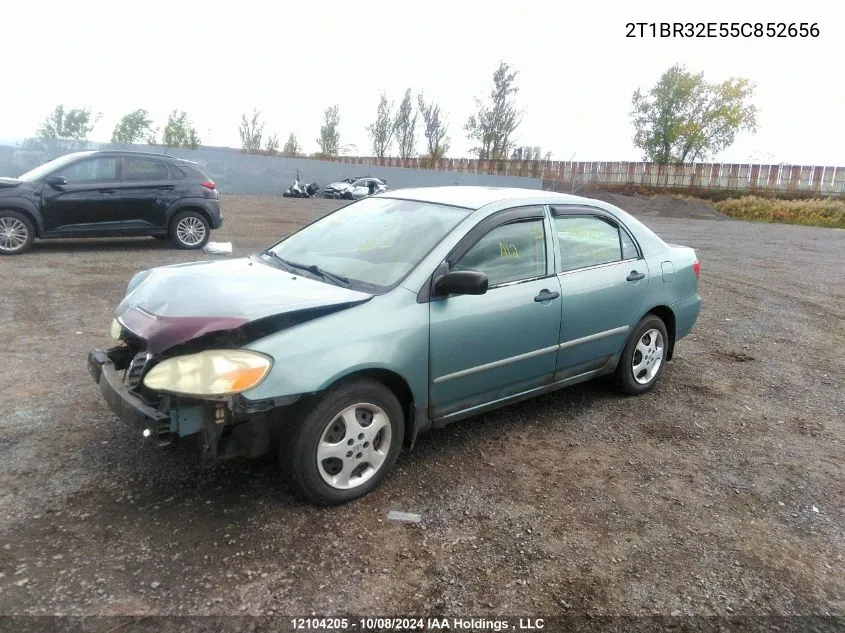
511	252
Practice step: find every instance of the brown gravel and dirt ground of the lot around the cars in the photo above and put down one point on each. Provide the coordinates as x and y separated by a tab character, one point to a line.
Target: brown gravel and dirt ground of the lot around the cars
719	492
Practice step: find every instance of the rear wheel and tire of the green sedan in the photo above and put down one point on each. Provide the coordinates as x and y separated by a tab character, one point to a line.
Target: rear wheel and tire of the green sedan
646	350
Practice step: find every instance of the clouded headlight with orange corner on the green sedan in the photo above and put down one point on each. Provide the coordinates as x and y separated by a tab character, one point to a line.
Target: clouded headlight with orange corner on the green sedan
210	373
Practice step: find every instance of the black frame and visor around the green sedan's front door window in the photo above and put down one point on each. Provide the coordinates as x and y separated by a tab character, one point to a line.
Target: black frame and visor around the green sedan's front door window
474	235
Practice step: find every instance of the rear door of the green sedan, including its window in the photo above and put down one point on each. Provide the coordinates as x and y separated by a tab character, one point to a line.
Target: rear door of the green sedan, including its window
603	281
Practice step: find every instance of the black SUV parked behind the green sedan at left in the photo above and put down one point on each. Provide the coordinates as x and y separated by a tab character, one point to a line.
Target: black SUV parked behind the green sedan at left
109	194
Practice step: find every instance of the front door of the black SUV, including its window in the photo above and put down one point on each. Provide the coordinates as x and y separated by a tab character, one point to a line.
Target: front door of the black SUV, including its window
88	201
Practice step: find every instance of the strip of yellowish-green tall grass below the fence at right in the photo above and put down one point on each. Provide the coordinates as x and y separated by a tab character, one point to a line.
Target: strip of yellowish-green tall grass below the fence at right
825	212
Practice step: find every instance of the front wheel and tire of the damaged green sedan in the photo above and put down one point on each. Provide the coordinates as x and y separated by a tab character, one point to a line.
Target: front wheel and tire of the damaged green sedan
368	459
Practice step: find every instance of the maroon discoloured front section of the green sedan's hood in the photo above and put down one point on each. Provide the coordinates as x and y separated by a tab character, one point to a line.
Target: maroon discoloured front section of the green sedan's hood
162	332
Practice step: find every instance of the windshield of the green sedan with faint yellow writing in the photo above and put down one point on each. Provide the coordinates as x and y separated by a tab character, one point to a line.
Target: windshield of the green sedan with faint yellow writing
374	243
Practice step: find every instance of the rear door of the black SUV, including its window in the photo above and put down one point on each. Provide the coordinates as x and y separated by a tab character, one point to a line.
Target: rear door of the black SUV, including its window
147	190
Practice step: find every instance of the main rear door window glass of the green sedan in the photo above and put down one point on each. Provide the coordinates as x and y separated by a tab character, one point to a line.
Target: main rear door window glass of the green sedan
586	241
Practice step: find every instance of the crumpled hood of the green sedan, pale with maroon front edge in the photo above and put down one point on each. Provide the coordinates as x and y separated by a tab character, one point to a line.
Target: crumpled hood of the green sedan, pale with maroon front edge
170	305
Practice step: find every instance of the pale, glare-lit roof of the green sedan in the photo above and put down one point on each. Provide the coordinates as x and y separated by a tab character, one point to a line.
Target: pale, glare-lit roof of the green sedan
474	197
